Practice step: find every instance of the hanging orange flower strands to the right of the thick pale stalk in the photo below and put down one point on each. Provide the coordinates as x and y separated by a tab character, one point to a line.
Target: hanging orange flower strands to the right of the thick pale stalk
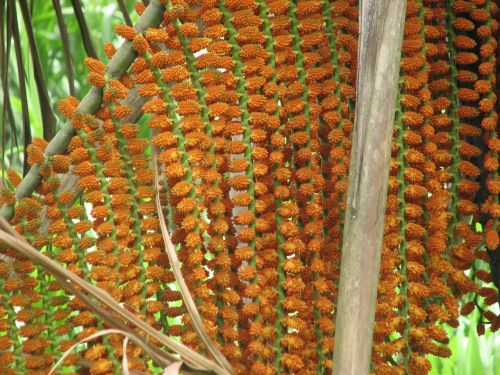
435	181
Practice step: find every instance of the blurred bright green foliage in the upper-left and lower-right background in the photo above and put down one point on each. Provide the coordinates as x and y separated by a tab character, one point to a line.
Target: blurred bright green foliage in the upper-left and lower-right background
471	354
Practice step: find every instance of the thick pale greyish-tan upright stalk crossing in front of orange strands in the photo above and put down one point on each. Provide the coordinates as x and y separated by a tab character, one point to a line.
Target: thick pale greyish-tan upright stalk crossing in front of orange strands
381	36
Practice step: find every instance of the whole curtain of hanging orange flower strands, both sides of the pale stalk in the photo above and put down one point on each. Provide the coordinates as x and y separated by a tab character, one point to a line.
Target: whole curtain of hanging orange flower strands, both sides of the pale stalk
249	106
